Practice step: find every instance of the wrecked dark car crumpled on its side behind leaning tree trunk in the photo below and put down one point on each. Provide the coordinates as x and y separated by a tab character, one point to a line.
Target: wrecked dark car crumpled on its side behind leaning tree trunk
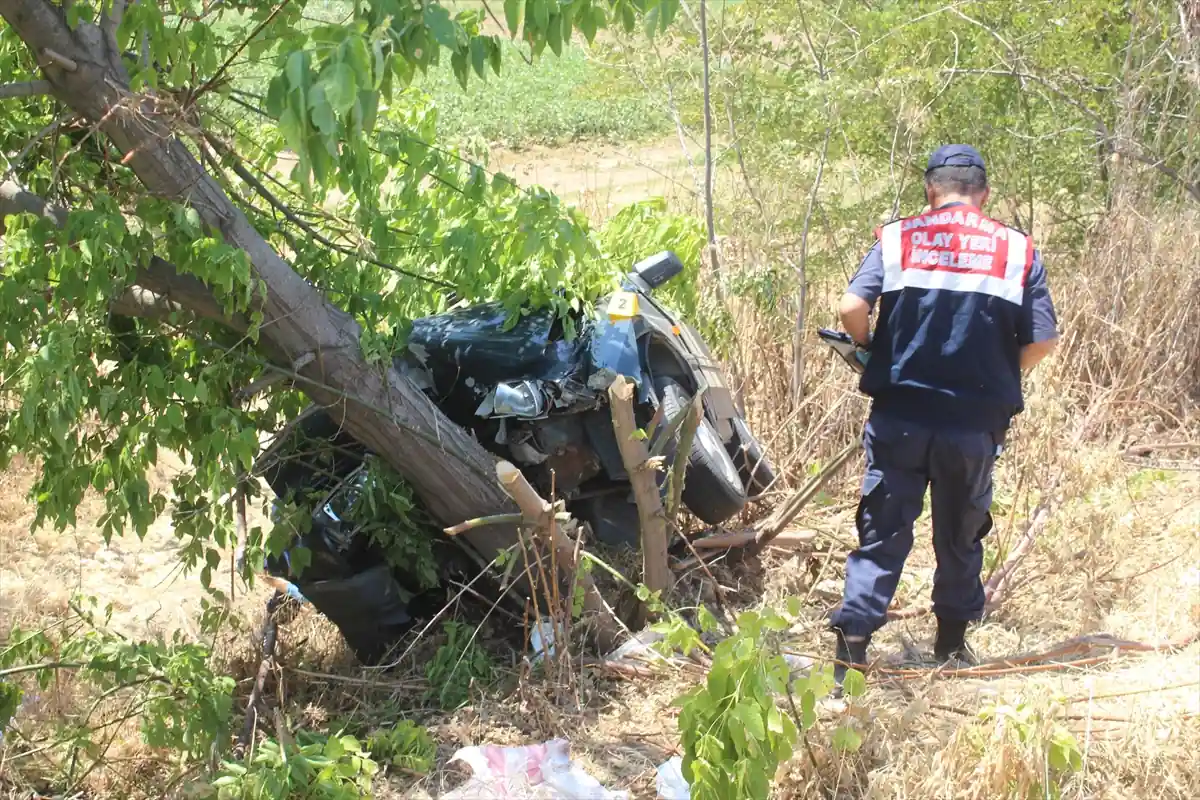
538	398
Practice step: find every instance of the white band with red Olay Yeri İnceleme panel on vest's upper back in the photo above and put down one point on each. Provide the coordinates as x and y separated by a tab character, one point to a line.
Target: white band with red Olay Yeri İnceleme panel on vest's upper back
935	255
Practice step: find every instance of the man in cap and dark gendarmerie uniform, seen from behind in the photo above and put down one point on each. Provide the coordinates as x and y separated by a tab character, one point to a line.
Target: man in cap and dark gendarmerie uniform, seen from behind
963	310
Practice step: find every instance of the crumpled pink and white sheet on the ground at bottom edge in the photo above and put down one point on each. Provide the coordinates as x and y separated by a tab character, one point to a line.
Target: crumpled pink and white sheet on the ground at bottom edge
532	773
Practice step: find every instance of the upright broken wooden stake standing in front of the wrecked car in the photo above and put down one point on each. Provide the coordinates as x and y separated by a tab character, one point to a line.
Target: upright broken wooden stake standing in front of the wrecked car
635	455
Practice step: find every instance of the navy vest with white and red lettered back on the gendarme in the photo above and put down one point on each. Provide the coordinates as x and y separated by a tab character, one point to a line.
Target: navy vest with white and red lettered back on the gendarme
946	347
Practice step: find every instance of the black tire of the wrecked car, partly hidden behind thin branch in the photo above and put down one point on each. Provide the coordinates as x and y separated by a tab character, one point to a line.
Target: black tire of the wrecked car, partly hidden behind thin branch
713	490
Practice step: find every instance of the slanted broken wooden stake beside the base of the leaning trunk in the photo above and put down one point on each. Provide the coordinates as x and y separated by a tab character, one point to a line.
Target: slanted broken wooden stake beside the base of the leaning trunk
541	516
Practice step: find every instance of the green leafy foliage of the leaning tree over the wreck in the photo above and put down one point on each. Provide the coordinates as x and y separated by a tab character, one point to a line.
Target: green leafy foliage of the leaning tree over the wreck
369	208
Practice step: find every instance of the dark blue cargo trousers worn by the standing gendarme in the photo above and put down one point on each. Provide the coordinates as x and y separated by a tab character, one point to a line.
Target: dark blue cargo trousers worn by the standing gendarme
904	459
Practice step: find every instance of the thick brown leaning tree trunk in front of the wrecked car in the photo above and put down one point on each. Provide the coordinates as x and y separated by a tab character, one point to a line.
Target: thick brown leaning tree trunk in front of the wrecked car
452	473
